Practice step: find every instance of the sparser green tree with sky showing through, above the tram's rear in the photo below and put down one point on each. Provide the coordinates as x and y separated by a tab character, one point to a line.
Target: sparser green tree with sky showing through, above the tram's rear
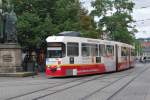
116	25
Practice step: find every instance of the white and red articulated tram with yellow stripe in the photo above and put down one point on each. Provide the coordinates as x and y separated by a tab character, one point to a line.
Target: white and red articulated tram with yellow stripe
75	56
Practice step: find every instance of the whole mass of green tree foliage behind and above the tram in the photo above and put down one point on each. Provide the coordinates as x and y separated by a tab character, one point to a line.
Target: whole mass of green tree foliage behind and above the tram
38	19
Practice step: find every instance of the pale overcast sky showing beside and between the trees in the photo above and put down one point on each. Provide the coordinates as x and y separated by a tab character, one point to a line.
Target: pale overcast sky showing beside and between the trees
141	14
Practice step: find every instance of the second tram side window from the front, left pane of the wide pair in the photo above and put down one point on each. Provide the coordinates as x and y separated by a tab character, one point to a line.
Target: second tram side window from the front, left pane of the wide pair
85	49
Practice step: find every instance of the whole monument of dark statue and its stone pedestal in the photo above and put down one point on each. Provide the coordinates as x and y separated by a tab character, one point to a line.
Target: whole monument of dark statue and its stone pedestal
10	51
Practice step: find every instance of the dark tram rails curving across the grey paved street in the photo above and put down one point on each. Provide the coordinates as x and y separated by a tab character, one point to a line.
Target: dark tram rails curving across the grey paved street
84	80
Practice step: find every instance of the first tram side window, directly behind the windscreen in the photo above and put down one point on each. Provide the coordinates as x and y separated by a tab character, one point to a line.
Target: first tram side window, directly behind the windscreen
72	49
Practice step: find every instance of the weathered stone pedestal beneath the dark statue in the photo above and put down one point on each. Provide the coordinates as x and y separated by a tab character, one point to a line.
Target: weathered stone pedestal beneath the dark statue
10	58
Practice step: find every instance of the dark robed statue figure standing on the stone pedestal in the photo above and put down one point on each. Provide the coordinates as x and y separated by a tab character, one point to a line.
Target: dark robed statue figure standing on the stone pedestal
8	21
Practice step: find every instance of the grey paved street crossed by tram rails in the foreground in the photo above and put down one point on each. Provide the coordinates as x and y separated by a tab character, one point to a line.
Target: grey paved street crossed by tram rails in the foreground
131	84
